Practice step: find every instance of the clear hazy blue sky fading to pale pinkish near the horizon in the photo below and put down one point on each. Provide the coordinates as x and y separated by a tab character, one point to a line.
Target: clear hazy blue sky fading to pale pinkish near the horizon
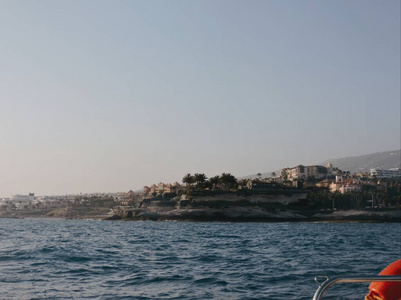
109	96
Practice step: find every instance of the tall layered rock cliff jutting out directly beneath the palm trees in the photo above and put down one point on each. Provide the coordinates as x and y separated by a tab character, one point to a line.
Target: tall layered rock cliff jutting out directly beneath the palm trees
219	207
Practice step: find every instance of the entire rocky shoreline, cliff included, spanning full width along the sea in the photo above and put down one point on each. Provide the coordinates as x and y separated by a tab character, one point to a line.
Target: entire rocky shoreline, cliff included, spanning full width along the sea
228	207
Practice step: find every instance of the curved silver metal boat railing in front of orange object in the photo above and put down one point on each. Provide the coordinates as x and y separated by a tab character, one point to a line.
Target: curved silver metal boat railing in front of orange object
331	281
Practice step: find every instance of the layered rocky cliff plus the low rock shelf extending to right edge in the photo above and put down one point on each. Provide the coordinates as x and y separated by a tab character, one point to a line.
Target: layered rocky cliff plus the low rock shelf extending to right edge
245	208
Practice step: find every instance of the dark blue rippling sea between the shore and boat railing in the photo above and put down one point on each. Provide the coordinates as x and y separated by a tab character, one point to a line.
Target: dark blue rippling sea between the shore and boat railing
79	259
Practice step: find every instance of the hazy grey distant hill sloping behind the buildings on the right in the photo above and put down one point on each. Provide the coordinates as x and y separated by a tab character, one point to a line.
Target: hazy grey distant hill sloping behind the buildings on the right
363	163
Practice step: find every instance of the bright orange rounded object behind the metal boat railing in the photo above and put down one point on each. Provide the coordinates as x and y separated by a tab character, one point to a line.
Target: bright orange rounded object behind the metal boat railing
390	290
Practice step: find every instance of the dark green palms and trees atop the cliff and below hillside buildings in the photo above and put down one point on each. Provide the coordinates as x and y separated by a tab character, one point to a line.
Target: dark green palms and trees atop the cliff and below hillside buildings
378	193
